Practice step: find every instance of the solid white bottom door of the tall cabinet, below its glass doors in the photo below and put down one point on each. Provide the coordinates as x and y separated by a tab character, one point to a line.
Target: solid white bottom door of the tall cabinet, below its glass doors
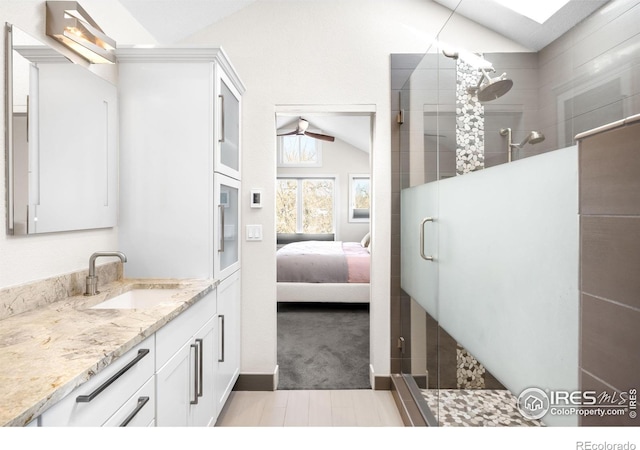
228	358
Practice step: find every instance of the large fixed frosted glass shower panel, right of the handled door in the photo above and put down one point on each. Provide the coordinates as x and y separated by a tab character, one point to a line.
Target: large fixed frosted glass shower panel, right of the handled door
508	269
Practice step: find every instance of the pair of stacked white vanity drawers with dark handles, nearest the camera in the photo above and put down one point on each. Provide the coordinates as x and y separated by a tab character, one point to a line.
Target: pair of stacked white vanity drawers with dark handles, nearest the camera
112	397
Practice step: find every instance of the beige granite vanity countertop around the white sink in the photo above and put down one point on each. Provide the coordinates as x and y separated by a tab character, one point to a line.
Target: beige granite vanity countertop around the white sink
47	352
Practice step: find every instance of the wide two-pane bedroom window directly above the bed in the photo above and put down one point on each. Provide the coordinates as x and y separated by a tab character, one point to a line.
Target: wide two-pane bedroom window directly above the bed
305	205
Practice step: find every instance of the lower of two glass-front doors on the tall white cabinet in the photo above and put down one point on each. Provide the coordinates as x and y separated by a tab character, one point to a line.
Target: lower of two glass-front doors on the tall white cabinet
227	229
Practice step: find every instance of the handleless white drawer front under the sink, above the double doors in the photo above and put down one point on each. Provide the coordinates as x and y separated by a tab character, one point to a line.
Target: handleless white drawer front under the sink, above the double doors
173	335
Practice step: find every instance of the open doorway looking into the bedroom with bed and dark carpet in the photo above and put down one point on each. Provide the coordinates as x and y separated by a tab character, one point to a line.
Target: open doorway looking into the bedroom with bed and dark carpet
323	223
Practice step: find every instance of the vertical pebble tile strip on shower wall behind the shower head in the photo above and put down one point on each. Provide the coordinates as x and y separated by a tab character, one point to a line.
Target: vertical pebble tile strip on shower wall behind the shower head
469	121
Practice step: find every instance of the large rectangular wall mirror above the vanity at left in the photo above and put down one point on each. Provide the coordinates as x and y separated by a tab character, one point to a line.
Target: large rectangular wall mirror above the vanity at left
61	141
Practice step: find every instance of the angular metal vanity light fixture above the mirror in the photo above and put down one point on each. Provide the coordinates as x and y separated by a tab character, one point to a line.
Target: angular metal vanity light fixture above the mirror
70	24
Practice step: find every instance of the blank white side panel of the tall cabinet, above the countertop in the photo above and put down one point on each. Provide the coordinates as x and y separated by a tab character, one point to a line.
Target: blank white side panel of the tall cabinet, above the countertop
166	118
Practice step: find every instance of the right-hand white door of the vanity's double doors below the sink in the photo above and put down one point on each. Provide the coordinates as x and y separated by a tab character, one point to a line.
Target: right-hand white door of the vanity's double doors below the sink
203	411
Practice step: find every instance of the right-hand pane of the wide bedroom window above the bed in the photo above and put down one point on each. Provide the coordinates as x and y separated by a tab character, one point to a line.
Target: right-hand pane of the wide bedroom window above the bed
317	206
